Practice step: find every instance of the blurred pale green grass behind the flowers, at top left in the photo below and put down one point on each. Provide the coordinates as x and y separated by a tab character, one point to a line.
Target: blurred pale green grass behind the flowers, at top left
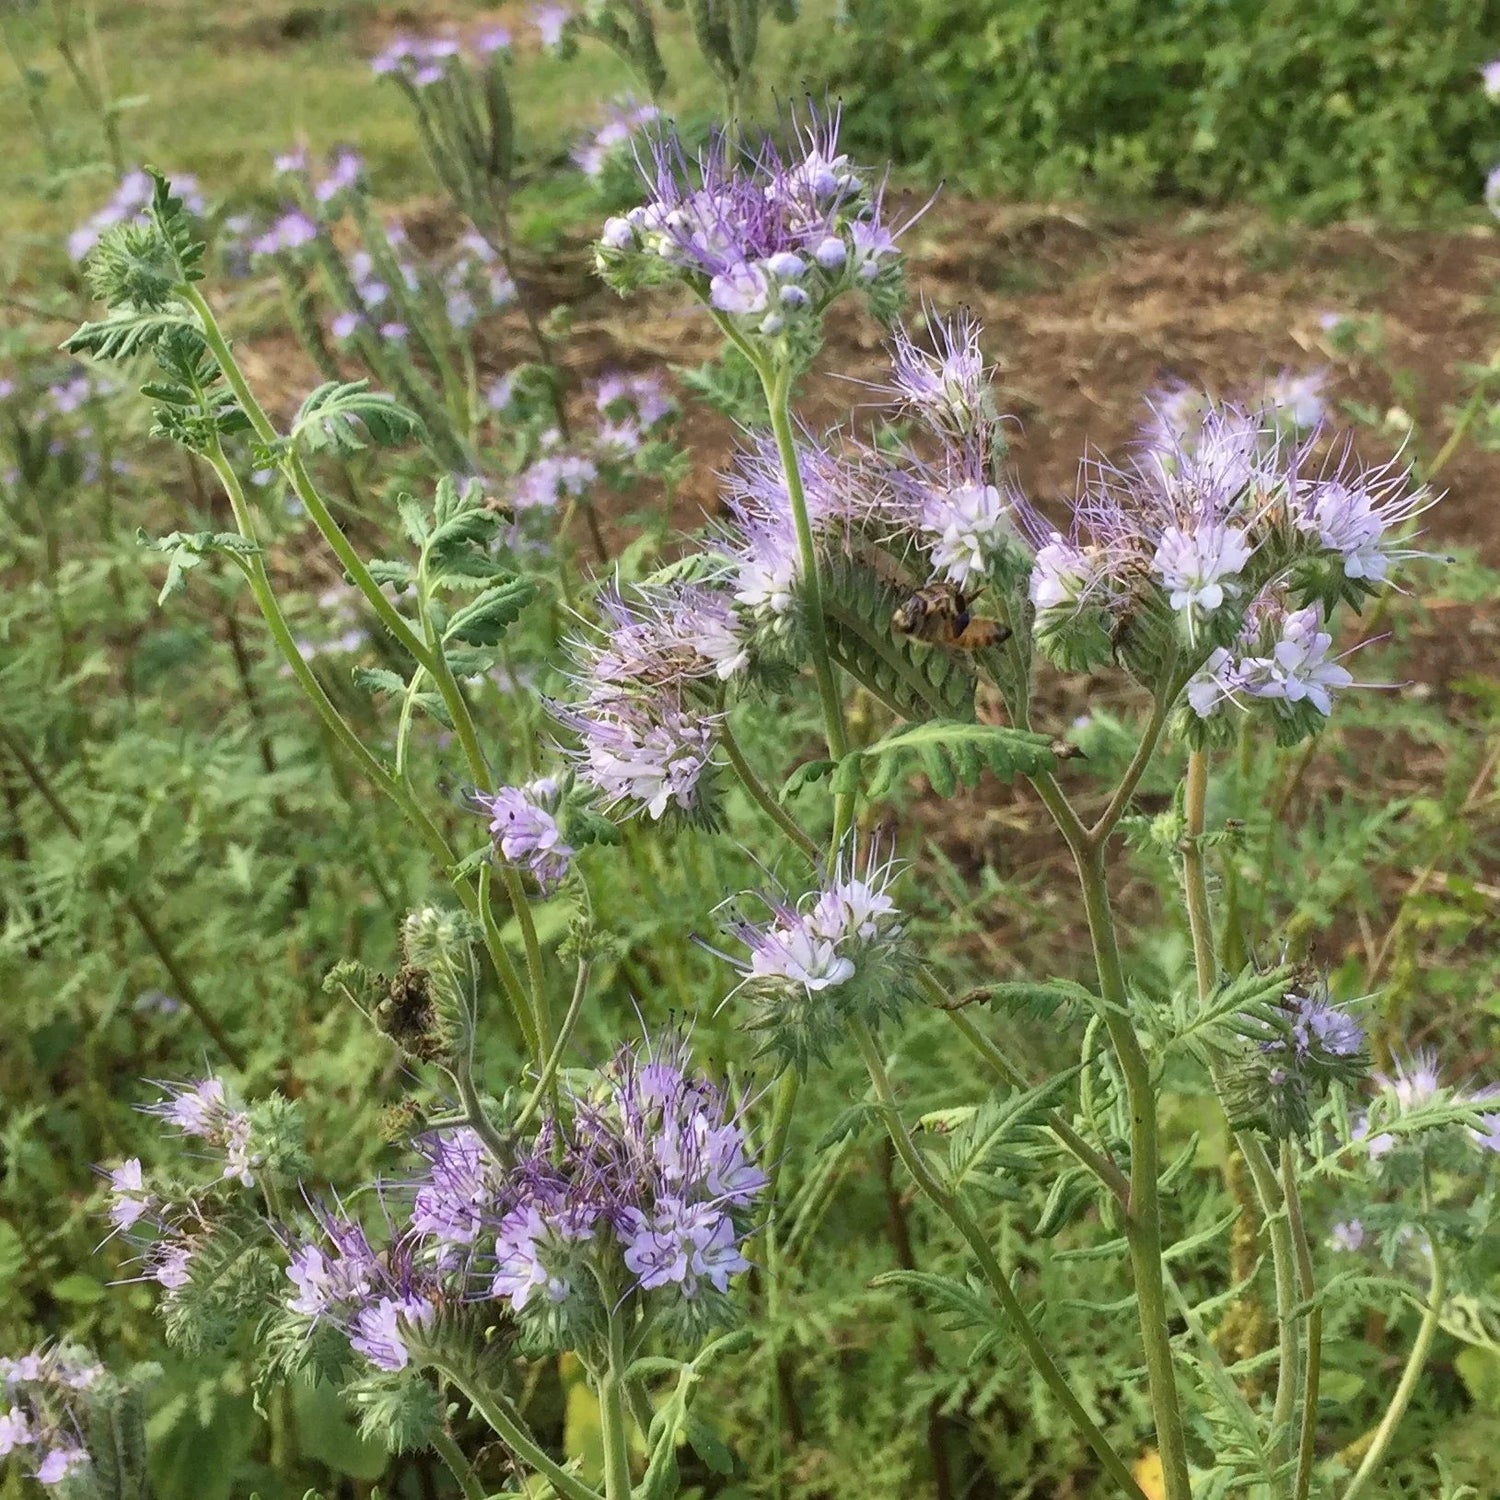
218	89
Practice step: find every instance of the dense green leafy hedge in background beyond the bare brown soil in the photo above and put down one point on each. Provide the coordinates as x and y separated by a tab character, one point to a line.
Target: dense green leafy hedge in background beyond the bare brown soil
1321	109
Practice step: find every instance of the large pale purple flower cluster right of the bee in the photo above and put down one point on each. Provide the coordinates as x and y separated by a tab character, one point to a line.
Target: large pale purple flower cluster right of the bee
1240	539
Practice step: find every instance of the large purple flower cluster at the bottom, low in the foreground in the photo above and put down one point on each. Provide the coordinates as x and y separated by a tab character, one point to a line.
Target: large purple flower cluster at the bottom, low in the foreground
644	1186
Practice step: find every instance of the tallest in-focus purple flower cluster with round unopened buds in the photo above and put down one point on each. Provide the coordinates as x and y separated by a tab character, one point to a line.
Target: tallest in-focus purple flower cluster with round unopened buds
764	239
